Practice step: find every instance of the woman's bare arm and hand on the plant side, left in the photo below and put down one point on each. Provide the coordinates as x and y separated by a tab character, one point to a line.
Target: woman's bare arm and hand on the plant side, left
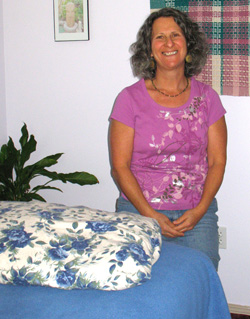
121	145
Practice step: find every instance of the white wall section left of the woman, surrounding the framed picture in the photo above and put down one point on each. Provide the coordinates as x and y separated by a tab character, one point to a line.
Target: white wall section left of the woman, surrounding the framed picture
65	91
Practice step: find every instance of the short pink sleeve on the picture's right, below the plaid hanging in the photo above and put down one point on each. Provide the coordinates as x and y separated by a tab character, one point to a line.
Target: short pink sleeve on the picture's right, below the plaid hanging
216	109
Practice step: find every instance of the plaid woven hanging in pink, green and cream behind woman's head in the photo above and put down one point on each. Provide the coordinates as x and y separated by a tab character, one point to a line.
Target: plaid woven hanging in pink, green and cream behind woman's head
226	24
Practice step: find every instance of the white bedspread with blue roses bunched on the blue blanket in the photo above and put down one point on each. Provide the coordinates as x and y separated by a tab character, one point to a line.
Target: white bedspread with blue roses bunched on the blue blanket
75	247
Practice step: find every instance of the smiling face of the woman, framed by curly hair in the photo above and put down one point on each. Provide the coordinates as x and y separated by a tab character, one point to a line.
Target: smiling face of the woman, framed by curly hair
168	44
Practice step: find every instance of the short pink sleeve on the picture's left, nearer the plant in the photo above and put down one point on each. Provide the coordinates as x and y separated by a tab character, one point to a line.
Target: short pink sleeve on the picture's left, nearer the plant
123	110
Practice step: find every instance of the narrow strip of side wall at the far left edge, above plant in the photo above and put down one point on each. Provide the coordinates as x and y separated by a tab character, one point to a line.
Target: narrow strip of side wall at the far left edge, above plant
2	82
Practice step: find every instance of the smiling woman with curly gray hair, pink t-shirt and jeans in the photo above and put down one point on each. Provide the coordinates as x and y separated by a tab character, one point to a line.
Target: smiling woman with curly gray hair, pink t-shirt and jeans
168	134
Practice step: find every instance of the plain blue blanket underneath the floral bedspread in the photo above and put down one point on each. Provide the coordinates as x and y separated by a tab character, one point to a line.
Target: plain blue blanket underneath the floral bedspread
184	285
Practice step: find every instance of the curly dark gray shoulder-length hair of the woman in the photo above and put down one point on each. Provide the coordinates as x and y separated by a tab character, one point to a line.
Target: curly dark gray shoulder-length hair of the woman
197	45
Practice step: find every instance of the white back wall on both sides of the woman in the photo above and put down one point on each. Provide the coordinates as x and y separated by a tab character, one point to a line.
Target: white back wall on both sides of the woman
65	92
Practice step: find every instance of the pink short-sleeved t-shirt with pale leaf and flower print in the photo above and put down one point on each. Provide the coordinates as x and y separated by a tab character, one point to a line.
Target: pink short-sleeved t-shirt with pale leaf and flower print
169	157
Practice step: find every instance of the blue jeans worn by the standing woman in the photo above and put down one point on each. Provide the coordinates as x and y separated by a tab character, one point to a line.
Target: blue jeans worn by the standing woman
203	237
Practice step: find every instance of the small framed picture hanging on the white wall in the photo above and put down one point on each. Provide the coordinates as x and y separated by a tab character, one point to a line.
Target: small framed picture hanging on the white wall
71	20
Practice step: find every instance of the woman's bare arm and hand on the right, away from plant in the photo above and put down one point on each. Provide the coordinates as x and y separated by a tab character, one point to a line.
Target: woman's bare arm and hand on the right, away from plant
217	143
